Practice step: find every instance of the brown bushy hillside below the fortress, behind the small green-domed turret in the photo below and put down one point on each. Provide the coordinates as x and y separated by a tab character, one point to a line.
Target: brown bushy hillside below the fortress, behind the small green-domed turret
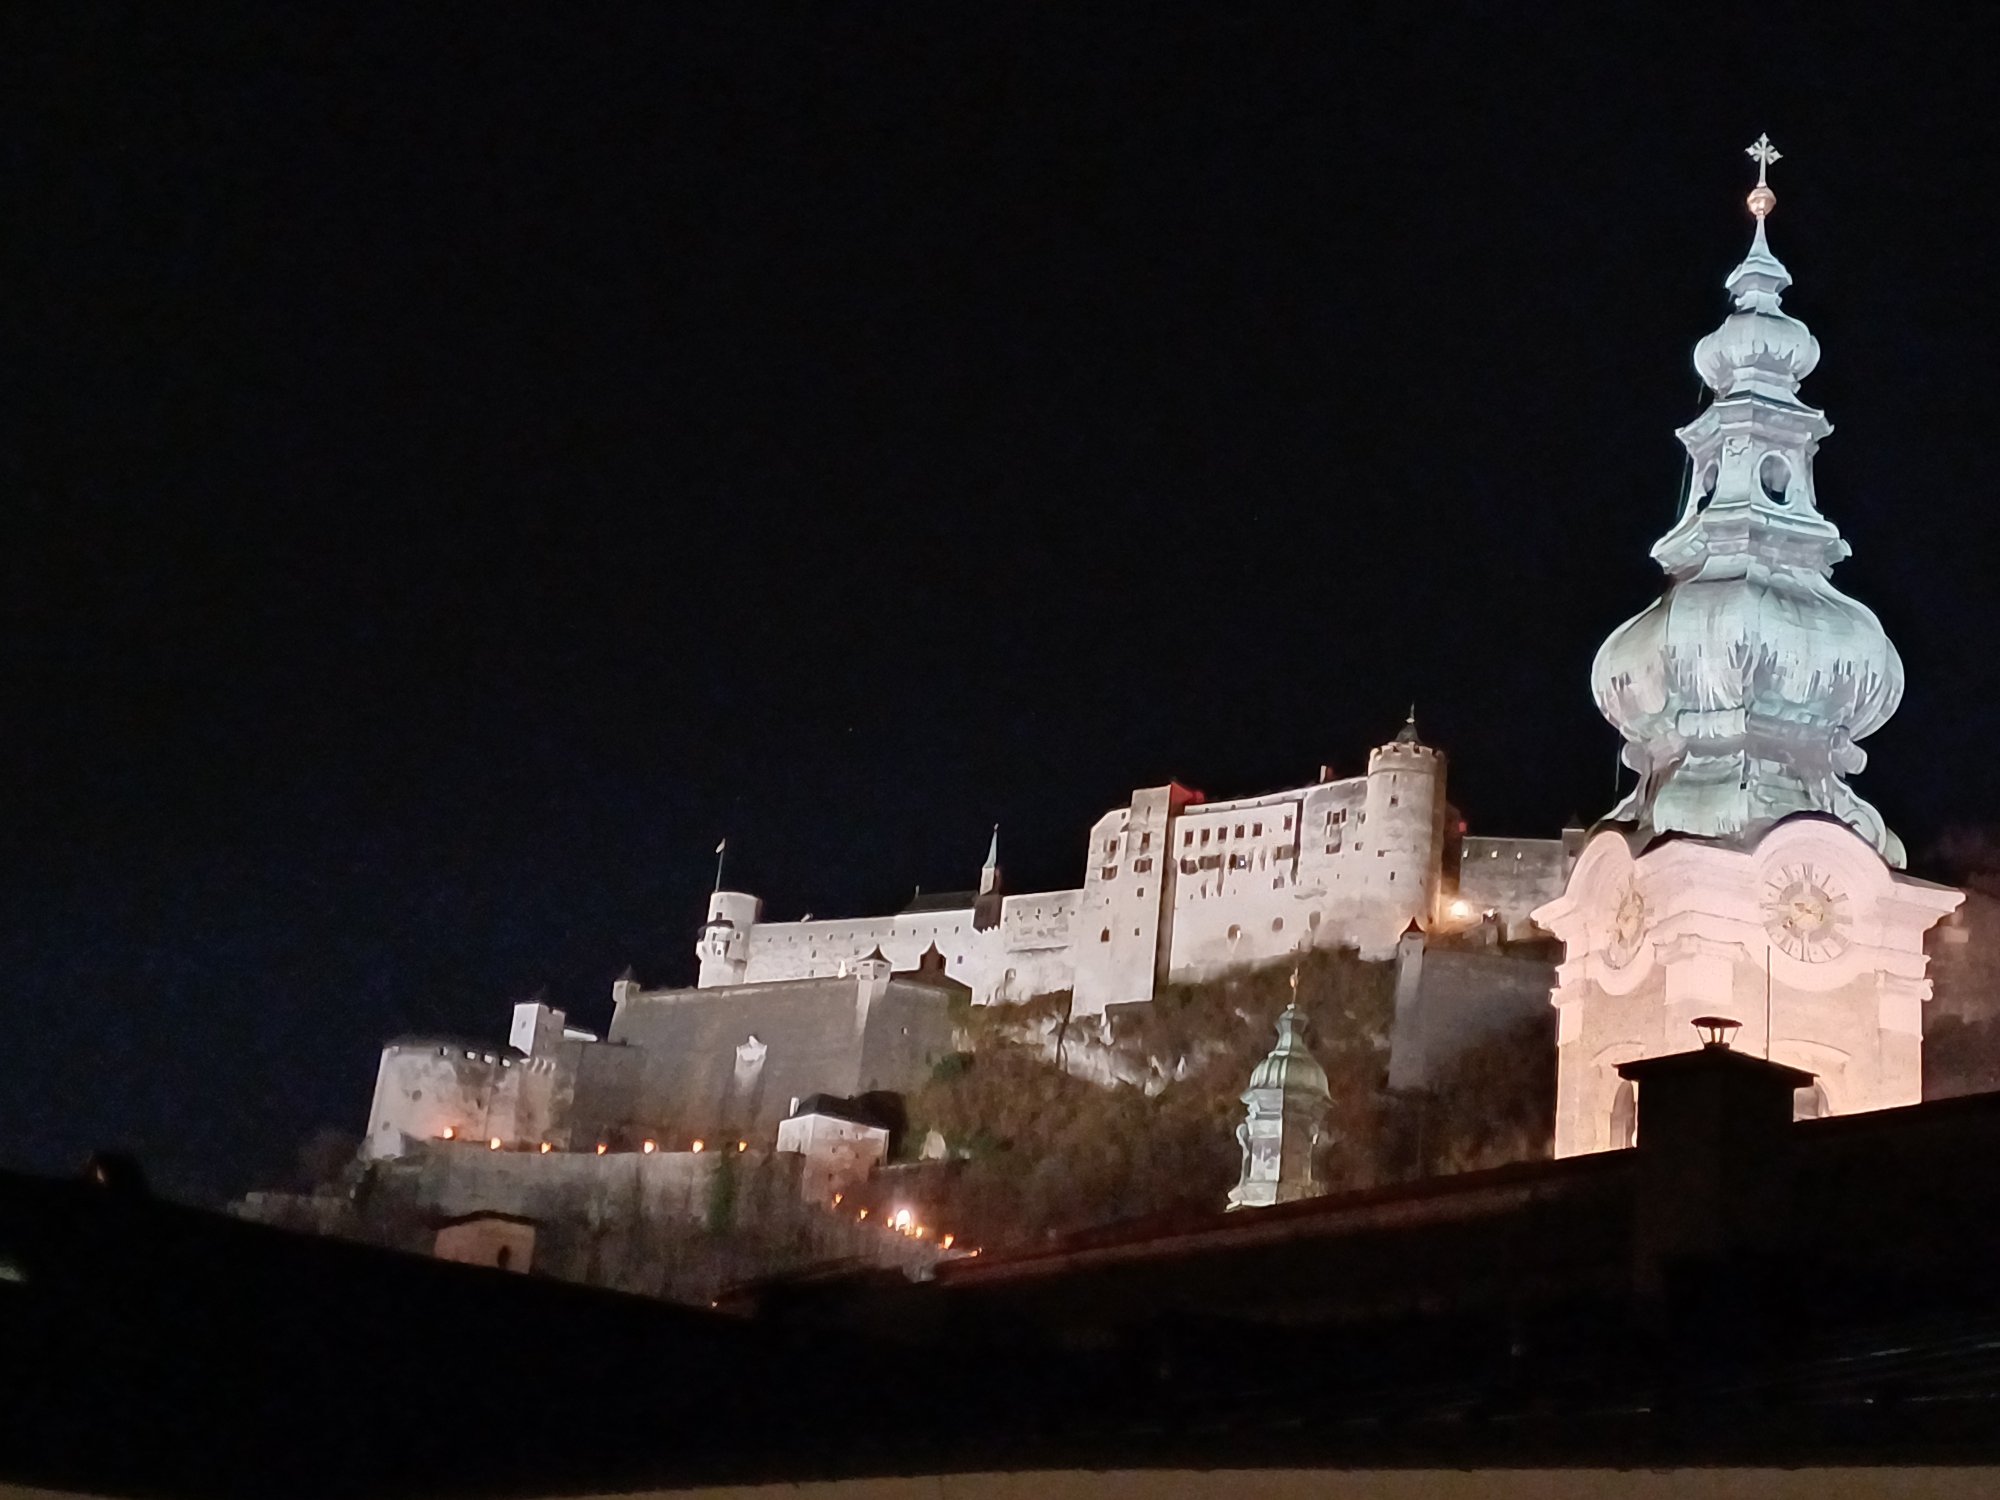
1039	1151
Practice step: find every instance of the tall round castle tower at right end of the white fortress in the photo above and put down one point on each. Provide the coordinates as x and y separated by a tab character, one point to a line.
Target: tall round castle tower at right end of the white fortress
1401	839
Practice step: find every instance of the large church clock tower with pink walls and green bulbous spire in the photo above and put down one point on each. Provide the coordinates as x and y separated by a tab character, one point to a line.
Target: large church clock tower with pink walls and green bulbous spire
1743	877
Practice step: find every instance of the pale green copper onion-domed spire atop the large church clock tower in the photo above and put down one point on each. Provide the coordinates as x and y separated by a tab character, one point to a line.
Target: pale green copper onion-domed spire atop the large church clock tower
1745	689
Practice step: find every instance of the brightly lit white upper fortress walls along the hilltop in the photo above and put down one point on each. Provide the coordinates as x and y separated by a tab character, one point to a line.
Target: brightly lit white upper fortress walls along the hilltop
1181	889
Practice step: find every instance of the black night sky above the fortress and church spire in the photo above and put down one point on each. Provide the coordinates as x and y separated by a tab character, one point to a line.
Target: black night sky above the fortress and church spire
465	461
